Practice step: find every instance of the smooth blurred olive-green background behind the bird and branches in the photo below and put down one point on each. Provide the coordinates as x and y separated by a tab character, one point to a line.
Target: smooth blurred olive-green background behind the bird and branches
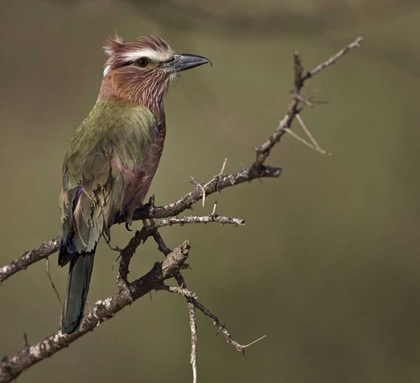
327	265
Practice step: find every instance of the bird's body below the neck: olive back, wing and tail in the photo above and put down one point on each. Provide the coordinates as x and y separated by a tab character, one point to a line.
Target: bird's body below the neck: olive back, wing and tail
106	172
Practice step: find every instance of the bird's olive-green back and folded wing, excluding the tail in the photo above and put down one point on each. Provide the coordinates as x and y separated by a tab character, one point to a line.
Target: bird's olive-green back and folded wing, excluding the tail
99	171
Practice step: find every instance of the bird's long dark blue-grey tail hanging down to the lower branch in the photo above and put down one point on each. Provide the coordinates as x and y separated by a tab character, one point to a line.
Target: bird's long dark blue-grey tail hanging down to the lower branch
81	266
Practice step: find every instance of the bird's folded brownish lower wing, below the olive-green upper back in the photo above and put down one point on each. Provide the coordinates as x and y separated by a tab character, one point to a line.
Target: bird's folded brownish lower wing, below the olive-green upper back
90	195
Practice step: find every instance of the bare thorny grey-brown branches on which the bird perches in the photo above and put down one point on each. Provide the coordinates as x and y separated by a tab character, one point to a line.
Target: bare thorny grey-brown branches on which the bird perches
127	292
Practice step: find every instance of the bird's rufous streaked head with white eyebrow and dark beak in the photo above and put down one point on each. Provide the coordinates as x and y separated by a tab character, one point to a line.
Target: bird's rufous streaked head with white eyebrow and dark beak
142	71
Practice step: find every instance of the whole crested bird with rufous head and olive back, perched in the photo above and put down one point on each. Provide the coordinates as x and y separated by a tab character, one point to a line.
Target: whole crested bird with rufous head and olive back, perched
113	156
